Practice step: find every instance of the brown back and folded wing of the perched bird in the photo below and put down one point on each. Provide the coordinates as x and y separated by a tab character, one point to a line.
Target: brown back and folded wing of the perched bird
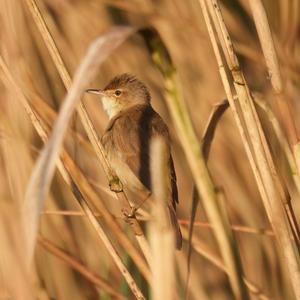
131	132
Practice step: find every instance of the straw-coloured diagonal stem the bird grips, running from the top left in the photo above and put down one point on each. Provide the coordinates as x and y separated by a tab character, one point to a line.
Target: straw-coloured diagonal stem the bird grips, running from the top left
89	128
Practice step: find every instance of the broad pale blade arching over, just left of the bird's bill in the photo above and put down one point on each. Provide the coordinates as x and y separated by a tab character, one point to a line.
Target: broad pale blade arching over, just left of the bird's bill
44	169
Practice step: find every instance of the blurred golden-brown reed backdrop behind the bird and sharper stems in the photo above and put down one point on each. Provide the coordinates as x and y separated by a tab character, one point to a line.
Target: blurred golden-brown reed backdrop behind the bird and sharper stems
74	24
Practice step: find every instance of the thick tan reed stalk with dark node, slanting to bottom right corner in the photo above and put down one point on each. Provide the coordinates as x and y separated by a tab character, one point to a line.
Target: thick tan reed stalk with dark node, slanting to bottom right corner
268	182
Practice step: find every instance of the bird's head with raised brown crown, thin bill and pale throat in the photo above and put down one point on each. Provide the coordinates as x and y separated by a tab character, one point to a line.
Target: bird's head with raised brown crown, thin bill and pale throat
121	93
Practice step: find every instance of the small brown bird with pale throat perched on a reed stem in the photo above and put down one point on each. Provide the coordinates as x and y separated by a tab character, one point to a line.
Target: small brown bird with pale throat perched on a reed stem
127	138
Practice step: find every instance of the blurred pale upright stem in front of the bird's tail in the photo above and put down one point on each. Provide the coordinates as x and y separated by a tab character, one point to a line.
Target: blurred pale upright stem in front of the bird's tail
161	235
